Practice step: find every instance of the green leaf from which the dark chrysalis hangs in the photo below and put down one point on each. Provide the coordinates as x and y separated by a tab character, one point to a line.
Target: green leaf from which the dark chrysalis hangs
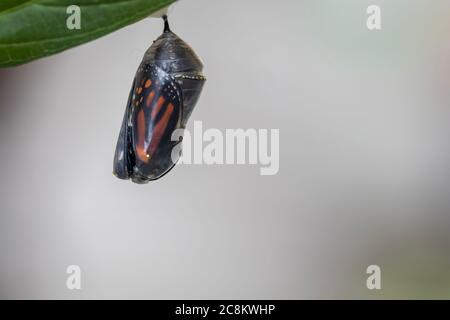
32	29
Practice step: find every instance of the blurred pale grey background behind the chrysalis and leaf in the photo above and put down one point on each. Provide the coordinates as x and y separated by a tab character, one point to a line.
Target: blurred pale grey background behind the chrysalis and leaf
364	175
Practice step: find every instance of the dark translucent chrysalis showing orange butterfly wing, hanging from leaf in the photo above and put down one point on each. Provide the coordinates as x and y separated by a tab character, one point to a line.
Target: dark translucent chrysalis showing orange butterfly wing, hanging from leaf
165	90
